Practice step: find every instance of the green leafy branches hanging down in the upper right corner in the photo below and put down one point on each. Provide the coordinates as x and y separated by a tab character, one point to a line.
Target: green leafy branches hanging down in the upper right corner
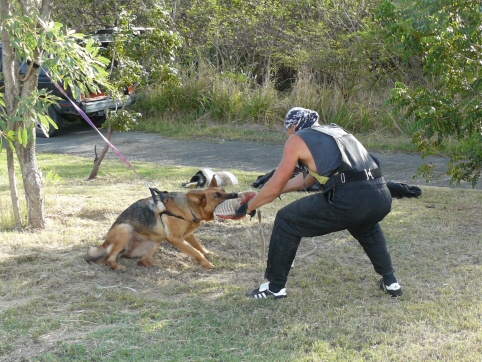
446	37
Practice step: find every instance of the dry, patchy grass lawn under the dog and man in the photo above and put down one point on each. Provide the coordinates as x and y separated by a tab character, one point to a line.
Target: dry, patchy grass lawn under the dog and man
56	307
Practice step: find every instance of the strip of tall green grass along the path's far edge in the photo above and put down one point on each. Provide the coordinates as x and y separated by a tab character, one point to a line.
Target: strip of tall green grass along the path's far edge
208	102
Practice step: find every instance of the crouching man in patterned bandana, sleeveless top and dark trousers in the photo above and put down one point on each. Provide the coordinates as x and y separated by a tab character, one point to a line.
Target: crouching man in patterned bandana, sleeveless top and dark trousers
354	198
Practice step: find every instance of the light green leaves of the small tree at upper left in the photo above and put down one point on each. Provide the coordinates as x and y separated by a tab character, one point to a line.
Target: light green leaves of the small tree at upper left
63	54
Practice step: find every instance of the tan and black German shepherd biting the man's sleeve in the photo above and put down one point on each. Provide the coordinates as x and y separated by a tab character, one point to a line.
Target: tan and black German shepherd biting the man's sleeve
173	216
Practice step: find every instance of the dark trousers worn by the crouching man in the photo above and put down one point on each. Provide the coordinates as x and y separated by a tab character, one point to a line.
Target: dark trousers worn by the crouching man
354	206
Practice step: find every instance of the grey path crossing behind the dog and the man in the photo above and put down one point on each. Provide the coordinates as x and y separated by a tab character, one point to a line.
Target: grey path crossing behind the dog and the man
221	155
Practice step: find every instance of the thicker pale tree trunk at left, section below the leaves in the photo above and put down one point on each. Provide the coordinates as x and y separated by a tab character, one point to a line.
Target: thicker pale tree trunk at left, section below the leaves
32	183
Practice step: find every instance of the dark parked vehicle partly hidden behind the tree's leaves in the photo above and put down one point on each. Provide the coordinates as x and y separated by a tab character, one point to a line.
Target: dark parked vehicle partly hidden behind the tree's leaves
94	106
